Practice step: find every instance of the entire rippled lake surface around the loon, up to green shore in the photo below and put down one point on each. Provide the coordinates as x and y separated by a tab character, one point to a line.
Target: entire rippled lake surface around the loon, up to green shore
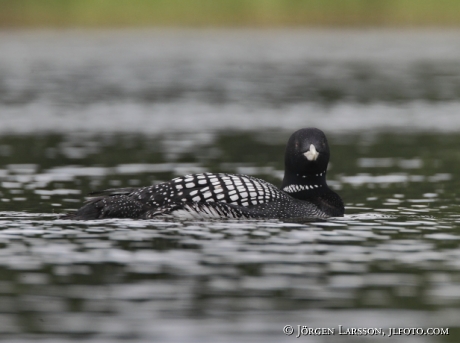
82	111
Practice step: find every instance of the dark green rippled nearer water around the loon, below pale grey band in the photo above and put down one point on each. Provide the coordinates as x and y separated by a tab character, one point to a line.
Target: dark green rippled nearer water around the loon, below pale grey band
392	261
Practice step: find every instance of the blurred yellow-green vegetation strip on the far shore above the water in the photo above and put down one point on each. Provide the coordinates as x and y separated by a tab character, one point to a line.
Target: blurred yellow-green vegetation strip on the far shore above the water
252	13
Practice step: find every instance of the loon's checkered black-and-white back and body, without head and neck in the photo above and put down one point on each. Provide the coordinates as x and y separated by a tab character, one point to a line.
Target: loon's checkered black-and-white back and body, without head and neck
204	195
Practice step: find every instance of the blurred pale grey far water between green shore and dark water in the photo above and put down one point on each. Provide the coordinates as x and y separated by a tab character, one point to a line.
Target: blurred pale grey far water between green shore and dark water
157	81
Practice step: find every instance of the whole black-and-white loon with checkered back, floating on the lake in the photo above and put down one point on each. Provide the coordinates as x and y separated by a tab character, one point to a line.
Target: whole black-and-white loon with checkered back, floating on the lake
304	193
